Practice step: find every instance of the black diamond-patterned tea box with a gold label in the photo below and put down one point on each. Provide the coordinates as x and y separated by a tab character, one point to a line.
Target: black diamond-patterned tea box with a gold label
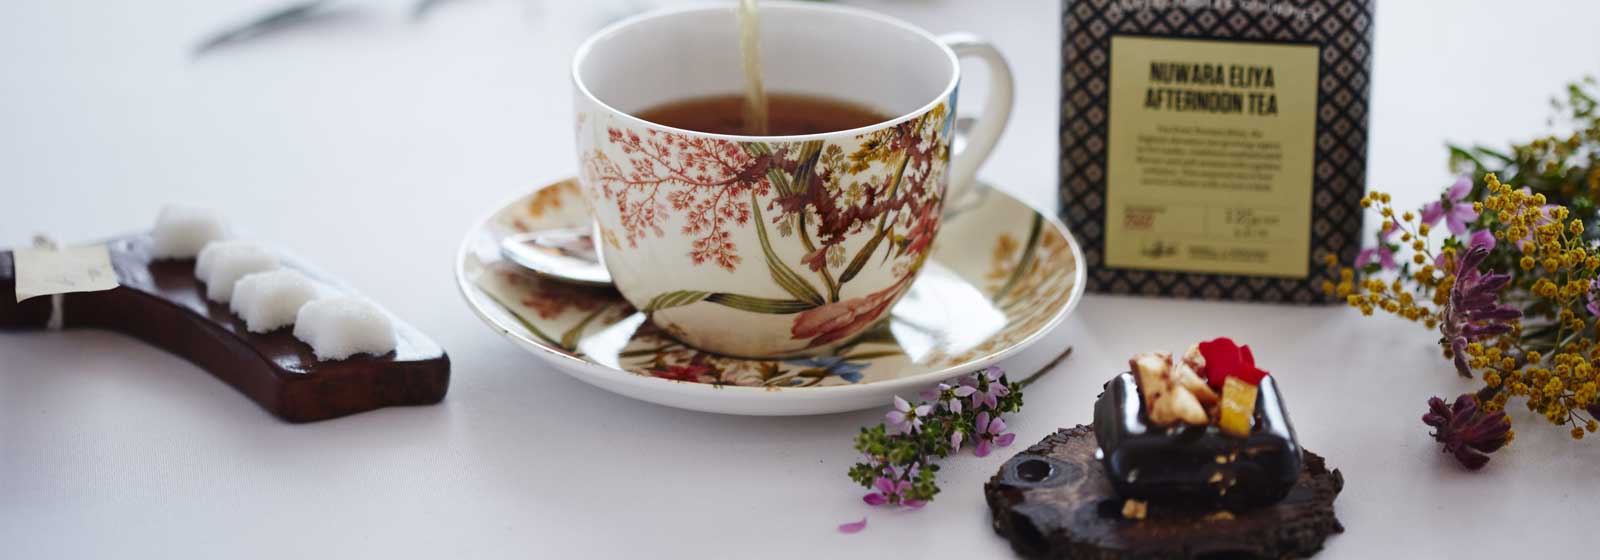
1215	150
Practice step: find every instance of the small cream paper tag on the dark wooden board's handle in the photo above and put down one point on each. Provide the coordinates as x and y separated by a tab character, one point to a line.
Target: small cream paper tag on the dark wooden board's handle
47	273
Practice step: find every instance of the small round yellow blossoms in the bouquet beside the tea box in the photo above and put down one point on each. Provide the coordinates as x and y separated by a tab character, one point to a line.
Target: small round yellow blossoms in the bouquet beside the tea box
1558	375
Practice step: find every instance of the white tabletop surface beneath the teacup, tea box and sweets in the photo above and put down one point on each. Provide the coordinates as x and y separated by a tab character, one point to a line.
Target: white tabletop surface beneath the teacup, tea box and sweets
372	143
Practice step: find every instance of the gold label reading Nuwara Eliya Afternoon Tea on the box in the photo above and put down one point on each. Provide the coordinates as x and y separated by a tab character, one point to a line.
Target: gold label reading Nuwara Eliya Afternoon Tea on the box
1210	156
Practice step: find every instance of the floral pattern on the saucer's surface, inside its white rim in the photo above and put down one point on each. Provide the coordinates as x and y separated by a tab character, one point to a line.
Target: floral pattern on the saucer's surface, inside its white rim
1020	263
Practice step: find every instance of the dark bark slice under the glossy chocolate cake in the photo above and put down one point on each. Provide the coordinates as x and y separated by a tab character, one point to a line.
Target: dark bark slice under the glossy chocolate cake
1054	502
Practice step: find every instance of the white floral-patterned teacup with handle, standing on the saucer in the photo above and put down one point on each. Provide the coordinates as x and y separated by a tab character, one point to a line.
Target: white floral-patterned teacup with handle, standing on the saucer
774	246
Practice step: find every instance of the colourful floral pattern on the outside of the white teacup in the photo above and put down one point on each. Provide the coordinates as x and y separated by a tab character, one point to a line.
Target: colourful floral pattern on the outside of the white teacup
841	225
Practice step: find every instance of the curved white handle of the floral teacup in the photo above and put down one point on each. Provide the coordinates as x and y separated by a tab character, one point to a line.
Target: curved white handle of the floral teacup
998	111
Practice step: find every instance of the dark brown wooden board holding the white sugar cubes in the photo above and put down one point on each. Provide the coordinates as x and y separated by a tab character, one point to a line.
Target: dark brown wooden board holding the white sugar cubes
164	305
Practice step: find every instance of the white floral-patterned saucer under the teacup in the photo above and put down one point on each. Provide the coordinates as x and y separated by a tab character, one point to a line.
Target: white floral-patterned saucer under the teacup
1001	276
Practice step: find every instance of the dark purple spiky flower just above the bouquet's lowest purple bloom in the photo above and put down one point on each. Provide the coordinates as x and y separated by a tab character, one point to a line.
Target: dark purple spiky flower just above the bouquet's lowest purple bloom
1473	313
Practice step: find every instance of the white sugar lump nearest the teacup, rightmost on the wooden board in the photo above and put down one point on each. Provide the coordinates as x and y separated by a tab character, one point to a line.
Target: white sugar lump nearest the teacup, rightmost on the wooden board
343	326
